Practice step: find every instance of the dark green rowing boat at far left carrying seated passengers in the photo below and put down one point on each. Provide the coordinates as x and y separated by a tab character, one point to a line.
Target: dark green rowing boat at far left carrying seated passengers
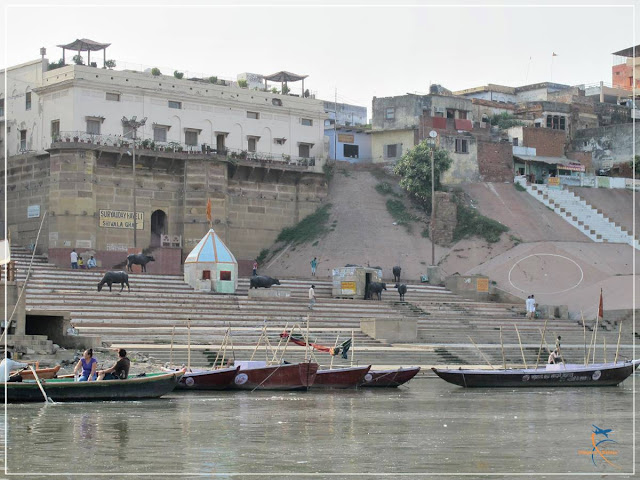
66	390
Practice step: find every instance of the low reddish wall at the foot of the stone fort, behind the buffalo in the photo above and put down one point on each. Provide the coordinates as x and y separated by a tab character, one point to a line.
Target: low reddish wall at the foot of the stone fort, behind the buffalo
168	261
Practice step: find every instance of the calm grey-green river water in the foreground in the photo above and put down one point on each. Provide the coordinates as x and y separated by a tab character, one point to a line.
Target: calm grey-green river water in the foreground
426	428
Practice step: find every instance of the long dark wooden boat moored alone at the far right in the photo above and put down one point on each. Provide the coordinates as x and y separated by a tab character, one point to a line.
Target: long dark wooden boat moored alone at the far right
558	375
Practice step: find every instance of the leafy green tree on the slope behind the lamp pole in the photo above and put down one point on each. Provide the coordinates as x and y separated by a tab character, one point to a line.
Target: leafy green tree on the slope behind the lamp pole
414	168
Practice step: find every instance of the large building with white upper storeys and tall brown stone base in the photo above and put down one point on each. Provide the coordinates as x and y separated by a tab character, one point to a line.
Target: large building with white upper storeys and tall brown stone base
257	155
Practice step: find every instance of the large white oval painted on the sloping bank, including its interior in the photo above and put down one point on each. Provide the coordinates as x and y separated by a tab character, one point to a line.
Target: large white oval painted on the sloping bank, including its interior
532	273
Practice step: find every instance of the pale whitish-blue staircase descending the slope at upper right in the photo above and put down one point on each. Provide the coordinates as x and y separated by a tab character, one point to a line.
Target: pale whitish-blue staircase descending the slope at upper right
590	221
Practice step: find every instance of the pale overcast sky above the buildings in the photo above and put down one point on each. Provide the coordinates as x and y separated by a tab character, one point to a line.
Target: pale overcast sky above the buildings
359	50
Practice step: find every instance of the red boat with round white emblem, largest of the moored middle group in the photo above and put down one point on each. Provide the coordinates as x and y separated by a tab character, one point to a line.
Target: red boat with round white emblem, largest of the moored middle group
286	376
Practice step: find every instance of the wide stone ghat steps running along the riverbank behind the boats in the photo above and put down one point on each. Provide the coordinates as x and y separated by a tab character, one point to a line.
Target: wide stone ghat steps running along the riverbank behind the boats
157	311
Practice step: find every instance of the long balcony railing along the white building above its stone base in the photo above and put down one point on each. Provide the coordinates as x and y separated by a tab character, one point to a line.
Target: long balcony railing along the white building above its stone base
146	145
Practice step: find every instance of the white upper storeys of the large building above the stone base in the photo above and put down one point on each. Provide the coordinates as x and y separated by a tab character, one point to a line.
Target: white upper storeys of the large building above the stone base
89	103
